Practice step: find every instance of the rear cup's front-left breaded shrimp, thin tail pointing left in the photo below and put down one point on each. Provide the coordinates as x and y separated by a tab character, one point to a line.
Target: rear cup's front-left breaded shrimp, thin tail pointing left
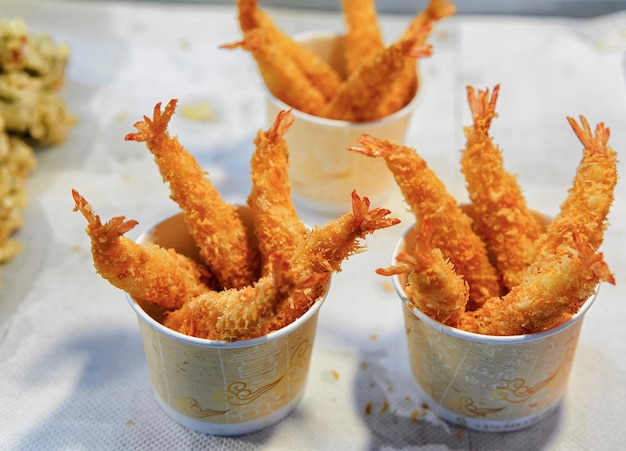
283	78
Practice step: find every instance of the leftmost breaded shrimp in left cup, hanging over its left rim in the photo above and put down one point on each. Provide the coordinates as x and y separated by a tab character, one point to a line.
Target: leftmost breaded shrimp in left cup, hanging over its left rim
146	272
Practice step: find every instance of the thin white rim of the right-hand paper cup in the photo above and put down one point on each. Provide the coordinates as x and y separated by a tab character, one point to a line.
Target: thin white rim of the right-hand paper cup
472	336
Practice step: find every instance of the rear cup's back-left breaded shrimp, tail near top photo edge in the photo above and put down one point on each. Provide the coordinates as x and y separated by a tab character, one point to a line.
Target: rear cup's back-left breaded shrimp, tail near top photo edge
319	73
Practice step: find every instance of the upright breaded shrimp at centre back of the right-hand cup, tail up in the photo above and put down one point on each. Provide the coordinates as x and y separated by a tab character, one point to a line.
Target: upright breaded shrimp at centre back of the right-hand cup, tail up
502	217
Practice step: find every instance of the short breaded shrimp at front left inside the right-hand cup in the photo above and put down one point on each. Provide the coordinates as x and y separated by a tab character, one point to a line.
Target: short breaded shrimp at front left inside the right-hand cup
432	284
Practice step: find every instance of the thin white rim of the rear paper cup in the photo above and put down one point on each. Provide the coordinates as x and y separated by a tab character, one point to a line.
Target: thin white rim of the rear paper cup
336	123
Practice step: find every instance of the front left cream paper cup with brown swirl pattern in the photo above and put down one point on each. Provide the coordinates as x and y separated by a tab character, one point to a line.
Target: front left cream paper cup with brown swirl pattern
223	388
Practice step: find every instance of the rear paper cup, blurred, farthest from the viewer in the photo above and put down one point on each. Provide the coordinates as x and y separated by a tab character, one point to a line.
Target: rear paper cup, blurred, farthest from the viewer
323	173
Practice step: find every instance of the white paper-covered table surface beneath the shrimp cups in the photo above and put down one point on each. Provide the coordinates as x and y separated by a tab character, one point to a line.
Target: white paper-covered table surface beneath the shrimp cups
72	364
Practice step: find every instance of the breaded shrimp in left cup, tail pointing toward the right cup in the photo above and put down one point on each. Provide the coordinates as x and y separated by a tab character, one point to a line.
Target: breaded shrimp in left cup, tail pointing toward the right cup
326	247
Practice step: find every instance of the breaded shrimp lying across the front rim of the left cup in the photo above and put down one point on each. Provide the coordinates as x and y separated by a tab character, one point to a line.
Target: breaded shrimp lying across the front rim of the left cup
228	315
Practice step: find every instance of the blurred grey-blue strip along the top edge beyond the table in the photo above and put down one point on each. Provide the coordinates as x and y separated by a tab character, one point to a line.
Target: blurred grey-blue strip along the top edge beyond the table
569	8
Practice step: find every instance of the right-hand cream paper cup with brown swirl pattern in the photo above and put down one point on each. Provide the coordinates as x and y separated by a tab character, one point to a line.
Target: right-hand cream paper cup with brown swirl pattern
488	383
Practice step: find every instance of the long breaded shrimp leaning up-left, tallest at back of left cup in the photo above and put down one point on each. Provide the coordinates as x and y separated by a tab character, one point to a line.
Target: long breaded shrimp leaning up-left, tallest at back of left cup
224	244
